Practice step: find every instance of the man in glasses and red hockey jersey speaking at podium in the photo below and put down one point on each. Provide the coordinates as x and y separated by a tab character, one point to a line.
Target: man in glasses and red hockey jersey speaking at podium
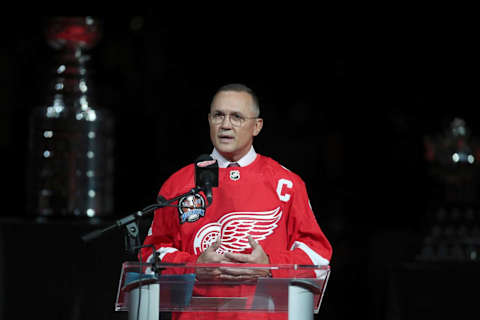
268	200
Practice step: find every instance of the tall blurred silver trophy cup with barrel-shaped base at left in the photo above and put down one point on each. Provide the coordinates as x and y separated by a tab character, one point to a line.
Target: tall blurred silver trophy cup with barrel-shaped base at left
71	138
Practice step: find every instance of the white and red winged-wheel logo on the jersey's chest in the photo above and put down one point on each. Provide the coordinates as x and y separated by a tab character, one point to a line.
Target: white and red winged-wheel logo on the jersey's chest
234	228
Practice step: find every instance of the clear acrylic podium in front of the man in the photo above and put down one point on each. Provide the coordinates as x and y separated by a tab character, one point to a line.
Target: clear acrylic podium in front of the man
294	289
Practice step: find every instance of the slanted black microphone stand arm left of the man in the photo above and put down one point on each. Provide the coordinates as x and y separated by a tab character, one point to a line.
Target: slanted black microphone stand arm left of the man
132	236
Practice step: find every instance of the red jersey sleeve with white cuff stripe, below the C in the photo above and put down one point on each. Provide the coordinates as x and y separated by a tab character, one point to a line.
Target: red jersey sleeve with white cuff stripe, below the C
307	243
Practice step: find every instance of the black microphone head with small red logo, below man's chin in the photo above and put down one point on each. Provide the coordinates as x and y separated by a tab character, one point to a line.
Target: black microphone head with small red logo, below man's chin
206	175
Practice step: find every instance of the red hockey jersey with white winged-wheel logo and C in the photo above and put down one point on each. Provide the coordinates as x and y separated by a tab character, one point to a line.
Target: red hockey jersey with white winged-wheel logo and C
268	198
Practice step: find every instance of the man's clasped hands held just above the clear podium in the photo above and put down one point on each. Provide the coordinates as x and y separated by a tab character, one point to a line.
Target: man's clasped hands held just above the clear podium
257	256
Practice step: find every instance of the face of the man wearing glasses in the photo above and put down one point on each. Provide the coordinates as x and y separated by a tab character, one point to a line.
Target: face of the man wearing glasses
233	142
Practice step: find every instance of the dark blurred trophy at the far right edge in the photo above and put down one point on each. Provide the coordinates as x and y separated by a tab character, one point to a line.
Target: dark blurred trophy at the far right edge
453	223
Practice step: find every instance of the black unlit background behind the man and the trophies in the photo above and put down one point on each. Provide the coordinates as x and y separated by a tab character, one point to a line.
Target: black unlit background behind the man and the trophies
346	105
